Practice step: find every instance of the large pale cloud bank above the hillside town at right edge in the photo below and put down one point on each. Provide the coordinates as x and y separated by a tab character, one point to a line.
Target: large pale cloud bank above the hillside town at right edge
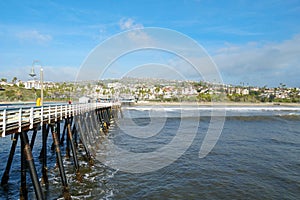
270	63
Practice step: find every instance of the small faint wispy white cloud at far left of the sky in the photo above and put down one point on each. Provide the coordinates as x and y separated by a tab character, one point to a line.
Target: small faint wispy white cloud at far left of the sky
34	35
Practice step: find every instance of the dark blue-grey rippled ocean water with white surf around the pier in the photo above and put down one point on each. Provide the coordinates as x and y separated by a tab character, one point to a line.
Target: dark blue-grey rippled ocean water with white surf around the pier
154	152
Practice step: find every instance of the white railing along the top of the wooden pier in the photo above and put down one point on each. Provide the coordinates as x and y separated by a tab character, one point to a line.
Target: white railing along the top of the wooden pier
16	119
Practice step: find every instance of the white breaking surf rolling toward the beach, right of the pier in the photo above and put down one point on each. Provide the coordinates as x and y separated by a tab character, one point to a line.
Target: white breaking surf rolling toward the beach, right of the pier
201	111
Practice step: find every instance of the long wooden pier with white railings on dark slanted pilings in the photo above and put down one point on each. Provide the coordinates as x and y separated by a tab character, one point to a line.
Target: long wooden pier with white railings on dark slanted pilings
81	123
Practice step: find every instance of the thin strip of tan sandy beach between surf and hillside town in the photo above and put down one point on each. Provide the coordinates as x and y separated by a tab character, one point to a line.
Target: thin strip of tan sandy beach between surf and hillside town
232	104
